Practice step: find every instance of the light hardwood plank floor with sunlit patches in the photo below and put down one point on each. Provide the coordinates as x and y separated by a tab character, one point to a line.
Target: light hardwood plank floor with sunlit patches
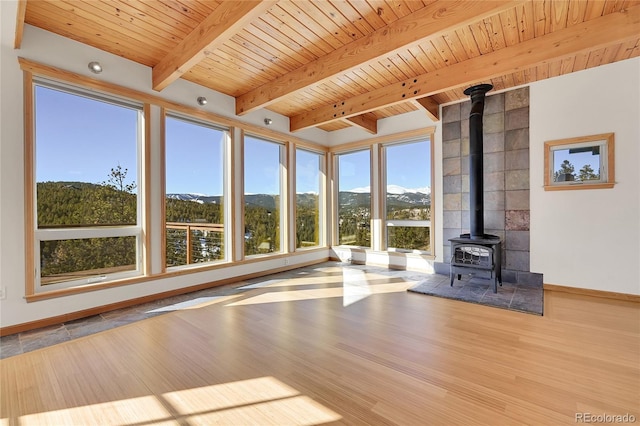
349	346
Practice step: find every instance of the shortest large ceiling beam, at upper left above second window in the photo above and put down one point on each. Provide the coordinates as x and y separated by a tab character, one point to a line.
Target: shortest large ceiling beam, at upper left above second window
223	23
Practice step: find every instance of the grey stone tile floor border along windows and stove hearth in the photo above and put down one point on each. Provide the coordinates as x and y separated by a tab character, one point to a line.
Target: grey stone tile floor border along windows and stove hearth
354	286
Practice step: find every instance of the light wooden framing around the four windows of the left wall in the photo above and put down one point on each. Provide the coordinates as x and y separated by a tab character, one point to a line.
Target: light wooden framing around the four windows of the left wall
150	186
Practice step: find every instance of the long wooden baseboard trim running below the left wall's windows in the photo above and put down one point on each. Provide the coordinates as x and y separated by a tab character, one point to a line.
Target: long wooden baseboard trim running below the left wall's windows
71	316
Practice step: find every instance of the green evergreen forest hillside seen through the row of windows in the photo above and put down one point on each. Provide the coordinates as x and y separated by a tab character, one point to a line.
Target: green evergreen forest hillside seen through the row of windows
194	228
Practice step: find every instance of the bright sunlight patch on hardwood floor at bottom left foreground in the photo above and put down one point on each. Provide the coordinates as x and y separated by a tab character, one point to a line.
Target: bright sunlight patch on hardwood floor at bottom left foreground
264	400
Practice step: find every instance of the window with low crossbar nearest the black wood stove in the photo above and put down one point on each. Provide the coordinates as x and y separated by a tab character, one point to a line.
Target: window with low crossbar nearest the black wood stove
408	196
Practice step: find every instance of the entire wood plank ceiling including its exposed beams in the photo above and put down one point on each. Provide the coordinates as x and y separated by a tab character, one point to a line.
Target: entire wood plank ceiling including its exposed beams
338	63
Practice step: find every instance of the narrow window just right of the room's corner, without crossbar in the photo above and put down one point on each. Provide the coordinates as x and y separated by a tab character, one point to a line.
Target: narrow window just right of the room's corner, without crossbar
354	198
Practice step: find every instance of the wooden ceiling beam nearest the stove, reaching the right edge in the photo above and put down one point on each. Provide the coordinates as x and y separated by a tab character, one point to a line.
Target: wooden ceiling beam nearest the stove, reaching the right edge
597	33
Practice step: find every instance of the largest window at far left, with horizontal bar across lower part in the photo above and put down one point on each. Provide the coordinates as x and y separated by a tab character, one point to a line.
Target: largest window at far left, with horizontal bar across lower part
87	201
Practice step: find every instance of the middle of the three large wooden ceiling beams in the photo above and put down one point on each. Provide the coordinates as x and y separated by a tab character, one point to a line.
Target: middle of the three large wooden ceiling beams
408	31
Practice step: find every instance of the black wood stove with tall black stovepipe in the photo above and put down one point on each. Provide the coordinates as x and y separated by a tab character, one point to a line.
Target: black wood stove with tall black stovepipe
477	253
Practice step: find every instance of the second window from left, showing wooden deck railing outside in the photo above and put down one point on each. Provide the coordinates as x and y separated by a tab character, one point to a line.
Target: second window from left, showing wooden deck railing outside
194	196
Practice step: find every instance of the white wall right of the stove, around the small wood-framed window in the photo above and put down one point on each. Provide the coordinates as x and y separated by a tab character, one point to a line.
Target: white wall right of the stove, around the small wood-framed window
588	238
